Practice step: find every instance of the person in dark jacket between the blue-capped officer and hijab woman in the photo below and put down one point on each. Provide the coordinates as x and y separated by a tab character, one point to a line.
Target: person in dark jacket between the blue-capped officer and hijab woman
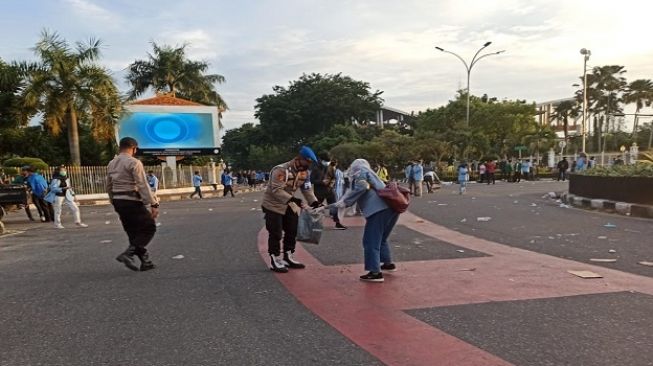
323	180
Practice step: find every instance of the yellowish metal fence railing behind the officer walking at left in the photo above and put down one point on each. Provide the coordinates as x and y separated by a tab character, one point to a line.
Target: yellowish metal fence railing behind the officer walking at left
93	179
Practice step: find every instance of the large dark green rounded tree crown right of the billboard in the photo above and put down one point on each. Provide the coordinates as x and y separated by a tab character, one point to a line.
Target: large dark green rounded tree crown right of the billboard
312	105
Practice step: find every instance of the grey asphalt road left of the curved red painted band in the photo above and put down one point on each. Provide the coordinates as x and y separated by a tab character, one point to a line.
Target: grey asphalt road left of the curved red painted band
64	300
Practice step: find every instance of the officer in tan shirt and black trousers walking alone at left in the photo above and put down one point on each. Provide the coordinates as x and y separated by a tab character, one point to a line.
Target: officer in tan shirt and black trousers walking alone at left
130	195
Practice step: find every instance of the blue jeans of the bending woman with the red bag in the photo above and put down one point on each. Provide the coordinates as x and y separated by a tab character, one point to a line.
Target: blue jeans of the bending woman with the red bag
375	239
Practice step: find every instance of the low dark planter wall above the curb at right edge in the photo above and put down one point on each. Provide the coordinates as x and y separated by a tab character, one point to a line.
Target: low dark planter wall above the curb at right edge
638	190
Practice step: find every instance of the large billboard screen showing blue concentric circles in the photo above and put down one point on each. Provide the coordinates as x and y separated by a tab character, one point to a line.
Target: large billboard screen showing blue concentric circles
172	130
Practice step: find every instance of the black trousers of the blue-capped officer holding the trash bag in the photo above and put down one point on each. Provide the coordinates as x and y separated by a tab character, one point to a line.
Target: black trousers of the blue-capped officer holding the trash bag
281	225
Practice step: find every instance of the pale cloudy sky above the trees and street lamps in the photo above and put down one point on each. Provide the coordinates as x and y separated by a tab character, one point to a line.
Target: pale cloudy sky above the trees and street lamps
257	44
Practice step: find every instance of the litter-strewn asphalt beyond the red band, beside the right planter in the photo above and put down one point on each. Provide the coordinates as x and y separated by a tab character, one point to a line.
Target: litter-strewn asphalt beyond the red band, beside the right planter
521	217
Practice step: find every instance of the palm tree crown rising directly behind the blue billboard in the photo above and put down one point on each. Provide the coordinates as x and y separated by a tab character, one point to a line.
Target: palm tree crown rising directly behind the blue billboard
168	70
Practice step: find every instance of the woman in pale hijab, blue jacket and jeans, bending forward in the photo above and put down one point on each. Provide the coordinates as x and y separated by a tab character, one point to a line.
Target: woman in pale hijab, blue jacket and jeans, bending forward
380	219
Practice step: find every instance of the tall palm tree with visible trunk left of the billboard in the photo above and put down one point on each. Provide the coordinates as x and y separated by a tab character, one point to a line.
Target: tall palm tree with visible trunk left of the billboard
67	86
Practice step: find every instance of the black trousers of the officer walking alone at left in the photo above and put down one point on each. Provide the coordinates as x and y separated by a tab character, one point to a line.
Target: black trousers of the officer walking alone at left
137	222
